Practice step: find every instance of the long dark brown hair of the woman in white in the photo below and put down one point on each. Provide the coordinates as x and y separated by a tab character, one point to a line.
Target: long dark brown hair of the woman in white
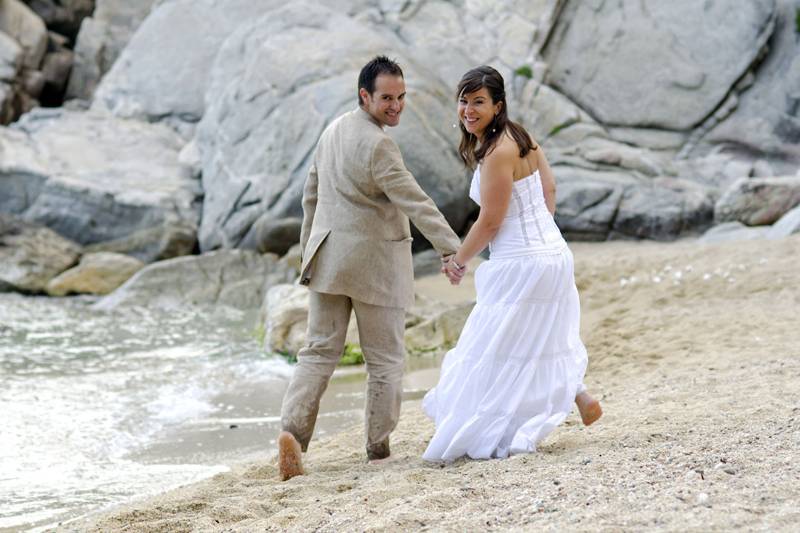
474	80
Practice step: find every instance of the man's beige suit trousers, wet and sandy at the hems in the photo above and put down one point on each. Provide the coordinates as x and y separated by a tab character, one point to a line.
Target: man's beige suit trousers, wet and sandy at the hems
381	331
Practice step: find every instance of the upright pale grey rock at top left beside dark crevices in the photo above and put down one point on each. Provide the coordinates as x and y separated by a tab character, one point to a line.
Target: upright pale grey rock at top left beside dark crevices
101	40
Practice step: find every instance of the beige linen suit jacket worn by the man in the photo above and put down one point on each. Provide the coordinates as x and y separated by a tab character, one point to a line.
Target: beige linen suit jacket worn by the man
357	202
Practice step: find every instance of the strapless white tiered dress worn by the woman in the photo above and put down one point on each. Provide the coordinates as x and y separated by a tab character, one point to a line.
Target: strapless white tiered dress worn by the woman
519	363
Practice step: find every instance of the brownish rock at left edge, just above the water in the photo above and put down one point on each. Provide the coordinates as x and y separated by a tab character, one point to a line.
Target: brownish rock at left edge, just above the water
31	255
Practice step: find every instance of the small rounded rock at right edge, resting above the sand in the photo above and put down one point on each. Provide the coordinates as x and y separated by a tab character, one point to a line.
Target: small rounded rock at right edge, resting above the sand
758	201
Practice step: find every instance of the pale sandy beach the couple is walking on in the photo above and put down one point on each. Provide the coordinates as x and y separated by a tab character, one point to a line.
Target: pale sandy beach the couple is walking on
695	354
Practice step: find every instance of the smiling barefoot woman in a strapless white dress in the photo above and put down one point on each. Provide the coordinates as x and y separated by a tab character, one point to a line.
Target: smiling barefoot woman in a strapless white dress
519	362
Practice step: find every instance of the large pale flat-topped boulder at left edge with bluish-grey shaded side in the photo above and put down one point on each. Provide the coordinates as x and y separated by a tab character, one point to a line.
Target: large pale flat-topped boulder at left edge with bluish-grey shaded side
92	177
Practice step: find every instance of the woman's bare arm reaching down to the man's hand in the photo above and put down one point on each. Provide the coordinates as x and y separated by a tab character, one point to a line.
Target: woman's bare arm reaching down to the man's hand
497	177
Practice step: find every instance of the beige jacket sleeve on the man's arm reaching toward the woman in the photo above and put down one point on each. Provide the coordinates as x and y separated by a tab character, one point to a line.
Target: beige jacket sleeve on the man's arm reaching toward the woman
402	189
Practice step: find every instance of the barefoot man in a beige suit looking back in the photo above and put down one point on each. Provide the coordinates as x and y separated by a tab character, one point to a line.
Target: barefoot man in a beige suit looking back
356	254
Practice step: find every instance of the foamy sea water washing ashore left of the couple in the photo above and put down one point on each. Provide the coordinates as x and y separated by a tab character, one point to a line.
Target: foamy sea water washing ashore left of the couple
98	407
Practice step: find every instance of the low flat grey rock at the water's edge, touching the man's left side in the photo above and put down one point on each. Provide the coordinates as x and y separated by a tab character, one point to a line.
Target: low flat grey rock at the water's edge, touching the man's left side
236	278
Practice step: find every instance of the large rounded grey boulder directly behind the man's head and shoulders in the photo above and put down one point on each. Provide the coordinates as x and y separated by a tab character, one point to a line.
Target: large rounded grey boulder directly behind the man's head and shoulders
266	111
